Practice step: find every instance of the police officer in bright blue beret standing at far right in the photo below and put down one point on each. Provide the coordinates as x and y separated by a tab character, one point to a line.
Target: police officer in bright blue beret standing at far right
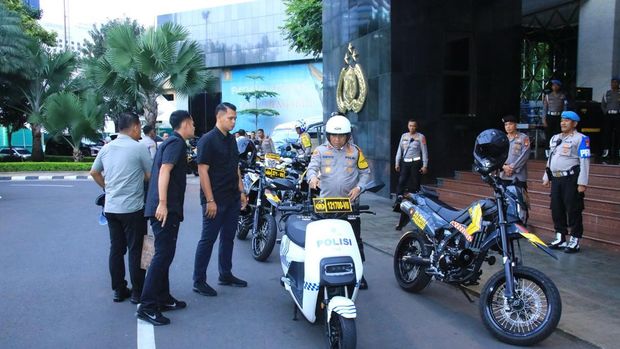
567	169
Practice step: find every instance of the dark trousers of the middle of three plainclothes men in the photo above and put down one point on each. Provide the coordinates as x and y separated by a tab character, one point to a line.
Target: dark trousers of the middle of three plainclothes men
157	283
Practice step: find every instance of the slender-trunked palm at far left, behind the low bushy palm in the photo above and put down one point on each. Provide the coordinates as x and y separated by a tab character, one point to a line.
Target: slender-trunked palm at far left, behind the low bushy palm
51	73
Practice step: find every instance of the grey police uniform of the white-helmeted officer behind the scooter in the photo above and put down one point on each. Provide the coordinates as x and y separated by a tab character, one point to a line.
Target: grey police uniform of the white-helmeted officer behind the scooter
340	171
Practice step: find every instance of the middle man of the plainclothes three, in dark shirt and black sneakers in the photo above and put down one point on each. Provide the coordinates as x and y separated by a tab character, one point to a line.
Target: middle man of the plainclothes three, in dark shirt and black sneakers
164	206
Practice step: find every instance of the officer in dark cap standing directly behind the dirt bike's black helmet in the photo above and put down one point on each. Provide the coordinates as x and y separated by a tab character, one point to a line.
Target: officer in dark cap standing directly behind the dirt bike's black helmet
515	168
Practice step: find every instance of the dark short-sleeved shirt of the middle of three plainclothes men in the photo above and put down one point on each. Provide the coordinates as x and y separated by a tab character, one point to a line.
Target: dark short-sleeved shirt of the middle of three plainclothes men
172	151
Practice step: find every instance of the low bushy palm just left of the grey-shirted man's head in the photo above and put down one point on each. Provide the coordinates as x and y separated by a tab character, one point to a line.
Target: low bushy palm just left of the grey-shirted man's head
78	116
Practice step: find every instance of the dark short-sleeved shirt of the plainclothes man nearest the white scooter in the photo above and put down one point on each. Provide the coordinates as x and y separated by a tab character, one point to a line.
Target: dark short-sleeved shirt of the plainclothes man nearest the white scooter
220	152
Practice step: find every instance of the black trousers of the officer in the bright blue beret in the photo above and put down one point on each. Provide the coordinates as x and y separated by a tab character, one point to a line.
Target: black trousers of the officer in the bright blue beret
567	205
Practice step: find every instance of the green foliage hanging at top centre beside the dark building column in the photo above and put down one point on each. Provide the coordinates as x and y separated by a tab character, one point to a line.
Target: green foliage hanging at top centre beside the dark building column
303	27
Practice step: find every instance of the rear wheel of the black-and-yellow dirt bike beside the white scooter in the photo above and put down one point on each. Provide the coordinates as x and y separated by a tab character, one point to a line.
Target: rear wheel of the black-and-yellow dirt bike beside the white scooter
410	277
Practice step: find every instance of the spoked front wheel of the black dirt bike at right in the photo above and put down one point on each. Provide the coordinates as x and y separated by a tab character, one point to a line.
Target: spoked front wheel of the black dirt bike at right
531	317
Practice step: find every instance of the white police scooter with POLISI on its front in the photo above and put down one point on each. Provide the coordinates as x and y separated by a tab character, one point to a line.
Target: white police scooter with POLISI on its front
322	265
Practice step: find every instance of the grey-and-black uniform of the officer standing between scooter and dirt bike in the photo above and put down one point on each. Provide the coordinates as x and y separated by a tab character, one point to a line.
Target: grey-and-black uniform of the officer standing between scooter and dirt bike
411	156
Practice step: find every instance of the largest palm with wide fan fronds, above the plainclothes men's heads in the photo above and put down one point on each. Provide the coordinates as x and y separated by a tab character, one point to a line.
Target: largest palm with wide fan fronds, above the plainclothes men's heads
144	67
